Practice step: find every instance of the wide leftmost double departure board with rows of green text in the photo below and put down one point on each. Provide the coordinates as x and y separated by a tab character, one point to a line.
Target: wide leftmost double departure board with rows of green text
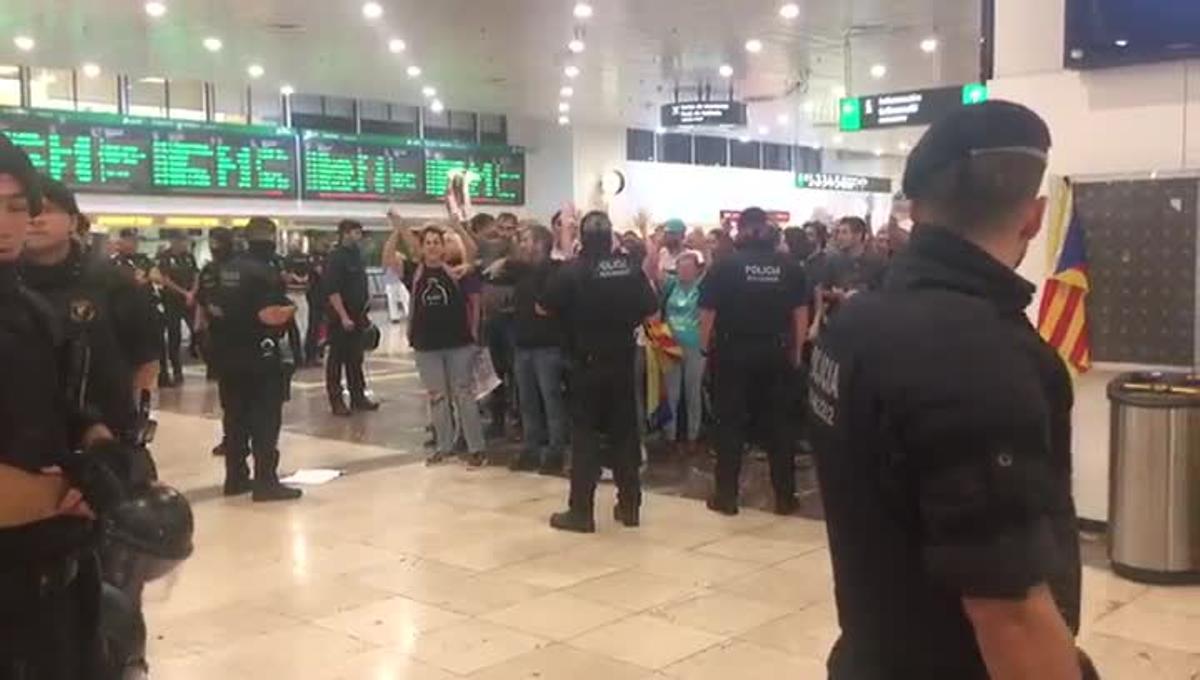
110	154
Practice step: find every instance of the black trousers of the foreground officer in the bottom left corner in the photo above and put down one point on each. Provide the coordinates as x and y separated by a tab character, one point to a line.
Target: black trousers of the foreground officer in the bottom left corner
50	628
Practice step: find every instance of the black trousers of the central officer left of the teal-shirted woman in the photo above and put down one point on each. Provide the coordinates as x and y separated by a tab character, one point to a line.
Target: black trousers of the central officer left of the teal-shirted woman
603	405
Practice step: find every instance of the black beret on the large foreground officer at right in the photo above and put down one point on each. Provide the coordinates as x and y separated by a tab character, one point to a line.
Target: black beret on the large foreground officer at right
991	128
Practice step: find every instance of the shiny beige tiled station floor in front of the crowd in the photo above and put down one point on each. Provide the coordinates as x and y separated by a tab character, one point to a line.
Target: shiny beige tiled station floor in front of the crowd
406	573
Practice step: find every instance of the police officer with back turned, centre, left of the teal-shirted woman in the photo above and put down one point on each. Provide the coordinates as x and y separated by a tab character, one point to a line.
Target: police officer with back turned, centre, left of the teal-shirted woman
602	298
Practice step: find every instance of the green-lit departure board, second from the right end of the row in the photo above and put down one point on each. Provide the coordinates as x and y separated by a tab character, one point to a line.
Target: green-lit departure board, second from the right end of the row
363	167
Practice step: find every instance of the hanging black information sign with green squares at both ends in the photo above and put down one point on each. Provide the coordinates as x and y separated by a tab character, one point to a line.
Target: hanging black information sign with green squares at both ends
916	107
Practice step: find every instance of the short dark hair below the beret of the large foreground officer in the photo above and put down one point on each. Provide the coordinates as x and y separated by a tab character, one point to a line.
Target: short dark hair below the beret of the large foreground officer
976	194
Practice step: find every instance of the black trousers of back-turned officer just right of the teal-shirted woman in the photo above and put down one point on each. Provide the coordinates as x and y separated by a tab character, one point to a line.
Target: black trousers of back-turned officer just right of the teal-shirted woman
753	375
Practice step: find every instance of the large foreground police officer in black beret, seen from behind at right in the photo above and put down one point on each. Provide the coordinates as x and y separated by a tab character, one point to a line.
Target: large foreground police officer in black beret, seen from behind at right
943	429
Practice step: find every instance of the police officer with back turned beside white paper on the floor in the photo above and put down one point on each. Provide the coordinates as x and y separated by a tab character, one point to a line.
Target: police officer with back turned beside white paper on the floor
248	315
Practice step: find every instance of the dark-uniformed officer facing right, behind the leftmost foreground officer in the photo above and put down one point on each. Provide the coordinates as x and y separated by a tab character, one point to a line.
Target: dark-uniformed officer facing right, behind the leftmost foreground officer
105	314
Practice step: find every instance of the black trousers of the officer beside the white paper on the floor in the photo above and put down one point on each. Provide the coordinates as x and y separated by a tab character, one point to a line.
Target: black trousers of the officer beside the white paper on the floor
253	399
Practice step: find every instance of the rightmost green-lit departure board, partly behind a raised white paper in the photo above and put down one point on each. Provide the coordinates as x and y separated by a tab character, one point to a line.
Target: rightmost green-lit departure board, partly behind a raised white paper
496	177
